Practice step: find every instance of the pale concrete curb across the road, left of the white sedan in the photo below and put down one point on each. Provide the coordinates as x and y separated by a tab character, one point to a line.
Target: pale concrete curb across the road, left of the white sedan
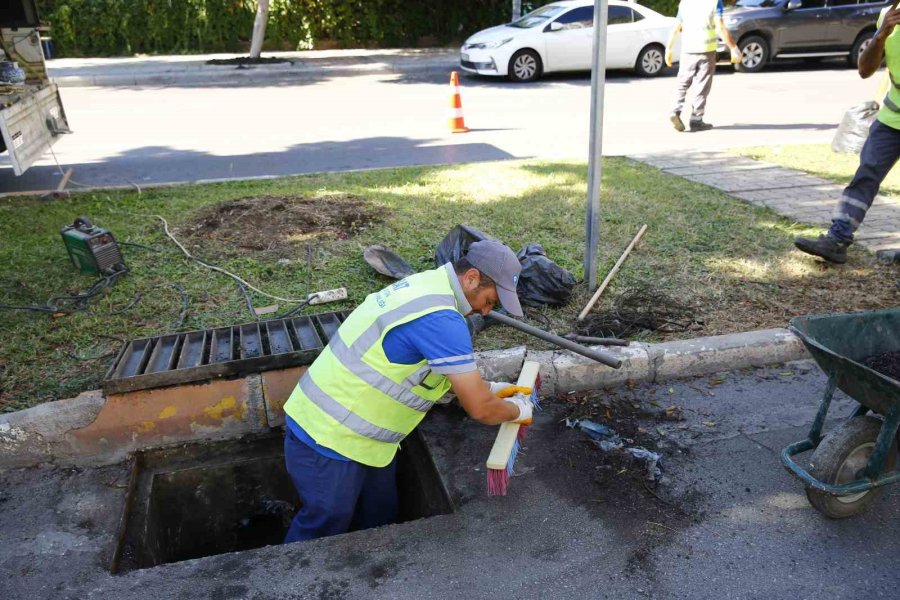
211	74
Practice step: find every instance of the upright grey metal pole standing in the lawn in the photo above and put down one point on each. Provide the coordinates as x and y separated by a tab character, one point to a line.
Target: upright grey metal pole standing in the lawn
595	154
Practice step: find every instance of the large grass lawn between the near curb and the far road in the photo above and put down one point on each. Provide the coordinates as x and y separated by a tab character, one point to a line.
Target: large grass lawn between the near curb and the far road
735	263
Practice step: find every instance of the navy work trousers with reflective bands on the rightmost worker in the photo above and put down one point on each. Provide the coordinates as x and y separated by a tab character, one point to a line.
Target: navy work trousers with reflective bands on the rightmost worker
879	153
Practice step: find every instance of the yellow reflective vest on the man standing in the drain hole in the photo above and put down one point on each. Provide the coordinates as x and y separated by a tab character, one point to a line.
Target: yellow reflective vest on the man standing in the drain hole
353	399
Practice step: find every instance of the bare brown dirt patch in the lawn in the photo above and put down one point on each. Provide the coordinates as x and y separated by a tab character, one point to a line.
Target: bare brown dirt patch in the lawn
276	225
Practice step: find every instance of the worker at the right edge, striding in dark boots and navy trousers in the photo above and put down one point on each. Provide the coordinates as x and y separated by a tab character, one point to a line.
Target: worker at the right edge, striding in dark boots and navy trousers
879	153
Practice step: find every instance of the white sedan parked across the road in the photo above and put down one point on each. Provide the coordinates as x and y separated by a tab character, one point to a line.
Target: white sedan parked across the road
559	37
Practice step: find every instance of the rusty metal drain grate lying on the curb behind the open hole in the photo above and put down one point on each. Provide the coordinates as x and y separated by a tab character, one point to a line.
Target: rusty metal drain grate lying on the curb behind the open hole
223	352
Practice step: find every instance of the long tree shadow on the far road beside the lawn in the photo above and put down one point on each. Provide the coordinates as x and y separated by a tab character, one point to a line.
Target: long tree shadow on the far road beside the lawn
162	164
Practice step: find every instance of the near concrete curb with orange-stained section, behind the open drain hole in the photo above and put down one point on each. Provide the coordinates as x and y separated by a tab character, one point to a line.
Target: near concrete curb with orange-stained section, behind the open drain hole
54	432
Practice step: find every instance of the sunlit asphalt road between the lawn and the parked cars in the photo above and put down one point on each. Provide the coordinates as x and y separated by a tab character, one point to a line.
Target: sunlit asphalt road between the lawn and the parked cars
152	135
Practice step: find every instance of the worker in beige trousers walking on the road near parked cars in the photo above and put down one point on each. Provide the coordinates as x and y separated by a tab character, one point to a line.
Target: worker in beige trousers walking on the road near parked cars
697	21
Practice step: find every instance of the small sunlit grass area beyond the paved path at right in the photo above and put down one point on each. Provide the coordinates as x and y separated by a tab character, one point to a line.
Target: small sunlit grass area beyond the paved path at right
821	161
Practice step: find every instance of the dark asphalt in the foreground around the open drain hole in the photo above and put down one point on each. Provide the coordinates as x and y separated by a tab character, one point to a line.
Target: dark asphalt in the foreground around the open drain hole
730	524
